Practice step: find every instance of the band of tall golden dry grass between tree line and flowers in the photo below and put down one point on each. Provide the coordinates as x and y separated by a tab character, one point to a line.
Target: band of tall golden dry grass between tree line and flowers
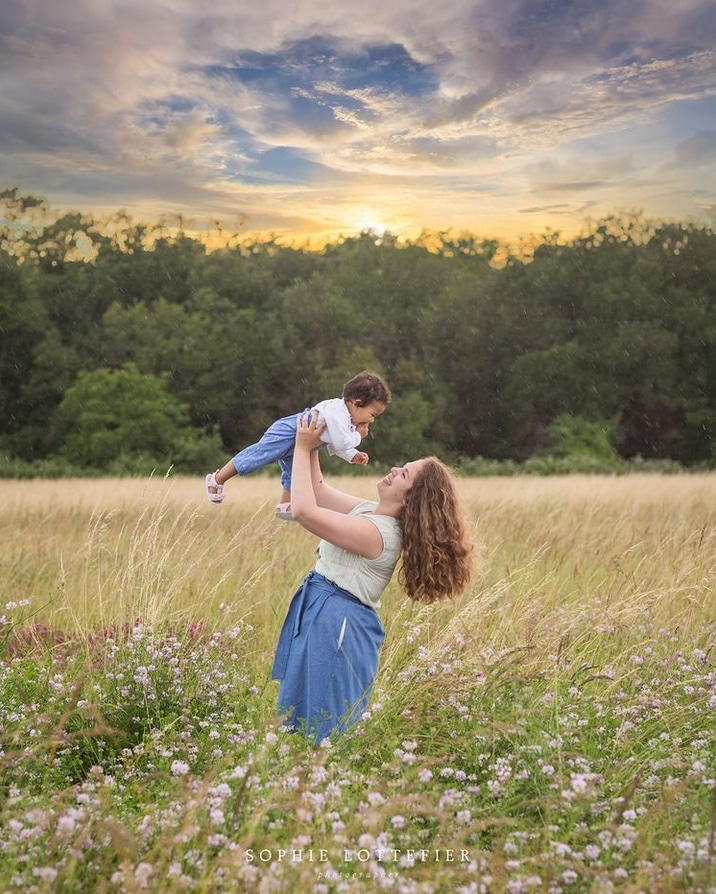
555	557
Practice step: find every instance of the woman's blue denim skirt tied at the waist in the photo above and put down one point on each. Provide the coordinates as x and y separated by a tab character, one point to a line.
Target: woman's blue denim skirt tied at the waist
326	658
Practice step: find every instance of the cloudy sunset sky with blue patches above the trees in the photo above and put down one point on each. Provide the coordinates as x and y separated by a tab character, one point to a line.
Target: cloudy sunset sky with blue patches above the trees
313	120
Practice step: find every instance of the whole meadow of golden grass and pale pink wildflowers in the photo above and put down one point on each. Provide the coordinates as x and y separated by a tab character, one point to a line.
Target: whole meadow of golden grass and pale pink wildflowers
553	730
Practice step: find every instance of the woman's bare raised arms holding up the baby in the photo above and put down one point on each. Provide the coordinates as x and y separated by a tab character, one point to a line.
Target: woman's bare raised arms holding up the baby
321	509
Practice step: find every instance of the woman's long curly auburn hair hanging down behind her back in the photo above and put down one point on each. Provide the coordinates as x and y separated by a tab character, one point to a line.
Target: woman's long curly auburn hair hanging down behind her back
437	552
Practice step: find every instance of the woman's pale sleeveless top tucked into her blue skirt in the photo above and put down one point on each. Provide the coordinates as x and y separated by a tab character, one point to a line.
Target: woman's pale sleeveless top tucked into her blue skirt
365	578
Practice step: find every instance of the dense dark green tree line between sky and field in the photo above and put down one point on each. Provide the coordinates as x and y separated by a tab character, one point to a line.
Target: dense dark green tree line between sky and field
124	341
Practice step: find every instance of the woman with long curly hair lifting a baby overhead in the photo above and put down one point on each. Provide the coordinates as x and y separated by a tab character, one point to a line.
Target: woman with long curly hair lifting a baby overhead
327	653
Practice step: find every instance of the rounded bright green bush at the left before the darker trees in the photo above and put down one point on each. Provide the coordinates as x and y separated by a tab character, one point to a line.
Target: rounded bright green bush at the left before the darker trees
123	420
